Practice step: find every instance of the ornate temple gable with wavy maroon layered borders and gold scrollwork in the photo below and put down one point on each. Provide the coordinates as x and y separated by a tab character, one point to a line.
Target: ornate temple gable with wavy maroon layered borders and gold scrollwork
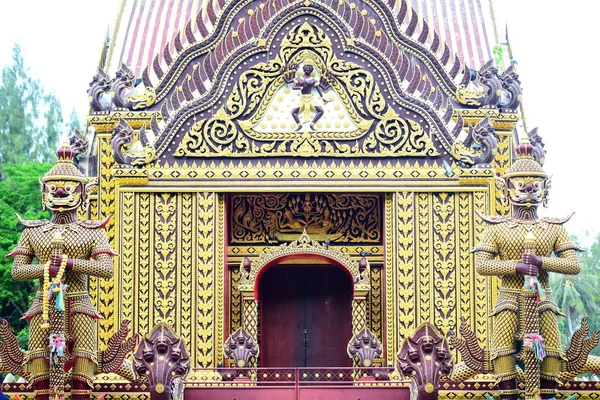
384	86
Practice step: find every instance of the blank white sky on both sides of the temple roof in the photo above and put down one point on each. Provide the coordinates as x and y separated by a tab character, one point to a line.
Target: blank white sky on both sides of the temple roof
554	43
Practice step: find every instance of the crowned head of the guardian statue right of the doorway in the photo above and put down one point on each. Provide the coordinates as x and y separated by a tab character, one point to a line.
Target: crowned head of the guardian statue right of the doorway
525	184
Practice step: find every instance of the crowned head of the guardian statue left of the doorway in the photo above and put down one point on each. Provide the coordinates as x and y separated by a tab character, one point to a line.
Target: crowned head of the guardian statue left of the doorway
64	187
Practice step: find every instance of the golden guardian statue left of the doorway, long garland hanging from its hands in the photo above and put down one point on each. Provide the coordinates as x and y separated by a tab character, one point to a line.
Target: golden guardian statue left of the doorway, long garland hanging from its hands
68	251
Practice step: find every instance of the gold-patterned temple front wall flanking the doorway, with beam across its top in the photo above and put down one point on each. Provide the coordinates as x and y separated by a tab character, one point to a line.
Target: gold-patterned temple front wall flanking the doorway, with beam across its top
173	265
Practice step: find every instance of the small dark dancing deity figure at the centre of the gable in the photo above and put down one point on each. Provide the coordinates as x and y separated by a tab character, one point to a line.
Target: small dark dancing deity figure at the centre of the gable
306	82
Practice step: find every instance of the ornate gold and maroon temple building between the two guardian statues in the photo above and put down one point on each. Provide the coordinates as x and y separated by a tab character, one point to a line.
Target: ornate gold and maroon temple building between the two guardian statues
296	189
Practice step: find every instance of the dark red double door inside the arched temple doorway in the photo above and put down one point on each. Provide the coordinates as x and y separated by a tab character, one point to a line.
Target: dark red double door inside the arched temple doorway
305	315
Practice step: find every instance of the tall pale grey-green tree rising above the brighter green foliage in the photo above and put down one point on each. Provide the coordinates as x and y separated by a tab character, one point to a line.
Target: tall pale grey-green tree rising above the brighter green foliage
30	118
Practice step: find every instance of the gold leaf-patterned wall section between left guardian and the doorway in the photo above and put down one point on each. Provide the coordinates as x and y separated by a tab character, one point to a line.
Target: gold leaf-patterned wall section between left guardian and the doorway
167	245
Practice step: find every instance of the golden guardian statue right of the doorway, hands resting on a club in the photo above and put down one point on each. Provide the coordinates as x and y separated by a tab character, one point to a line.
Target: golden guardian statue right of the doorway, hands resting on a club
518	249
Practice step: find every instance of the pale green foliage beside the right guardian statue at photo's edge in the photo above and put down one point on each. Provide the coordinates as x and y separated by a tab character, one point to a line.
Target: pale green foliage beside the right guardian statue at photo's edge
579	295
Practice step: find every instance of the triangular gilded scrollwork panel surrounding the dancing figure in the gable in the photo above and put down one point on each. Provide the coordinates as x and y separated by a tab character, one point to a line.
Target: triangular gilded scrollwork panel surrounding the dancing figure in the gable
363	123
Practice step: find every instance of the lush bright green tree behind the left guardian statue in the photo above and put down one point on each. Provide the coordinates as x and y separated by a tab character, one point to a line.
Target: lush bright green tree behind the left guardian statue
19	194
